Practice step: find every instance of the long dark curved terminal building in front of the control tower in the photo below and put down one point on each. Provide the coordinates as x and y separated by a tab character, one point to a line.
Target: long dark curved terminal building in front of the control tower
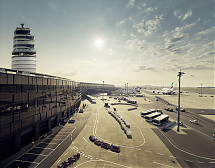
31	105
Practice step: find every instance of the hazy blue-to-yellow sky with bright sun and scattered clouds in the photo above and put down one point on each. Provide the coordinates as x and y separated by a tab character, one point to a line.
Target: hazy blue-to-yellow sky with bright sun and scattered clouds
138	42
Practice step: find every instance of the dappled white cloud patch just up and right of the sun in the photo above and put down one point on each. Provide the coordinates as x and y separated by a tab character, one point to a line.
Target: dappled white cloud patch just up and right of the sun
150	26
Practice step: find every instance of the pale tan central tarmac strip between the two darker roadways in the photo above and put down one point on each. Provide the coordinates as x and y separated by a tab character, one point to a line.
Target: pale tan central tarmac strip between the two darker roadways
145	149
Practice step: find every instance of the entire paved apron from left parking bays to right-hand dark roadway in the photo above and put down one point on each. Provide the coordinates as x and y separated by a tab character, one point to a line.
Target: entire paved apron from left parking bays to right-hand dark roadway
193	146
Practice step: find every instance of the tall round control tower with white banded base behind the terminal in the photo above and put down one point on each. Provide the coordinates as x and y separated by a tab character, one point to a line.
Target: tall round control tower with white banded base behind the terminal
24	54
